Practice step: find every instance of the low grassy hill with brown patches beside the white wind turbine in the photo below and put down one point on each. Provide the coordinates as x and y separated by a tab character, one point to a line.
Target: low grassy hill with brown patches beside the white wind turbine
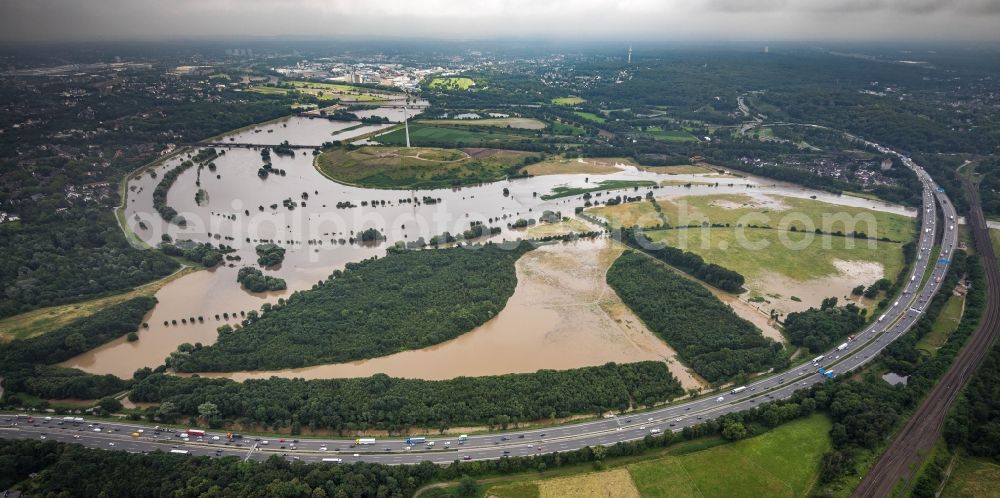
394	167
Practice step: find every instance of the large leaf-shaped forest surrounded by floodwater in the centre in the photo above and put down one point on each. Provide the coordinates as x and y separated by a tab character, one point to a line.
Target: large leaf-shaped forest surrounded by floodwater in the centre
406	300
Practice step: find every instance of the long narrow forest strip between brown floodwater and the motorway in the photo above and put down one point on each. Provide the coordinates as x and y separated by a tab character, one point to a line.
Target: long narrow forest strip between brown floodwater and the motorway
382	402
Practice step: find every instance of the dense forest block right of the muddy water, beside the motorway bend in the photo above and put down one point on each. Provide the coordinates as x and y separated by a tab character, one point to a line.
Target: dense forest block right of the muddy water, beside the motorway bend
708	336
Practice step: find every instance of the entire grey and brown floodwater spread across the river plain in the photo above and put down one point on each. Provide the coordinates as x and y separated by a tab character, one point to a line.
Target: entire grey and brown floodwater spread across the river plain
562	315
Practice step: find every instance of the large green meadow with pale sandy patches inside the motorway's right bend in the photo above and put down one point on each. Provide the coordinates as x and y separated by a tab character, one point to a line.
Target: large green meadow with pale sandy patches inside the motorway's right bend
785	271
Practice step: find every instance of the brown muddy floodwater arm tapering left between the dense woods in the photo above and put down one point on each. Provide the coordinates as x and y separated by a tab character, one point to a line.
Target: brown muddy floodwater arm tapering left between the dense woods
562	315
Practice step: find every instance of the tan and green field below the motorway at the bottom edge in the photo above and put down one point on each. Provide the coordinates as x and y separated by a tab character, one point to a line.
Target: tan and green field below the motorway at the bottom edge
781	463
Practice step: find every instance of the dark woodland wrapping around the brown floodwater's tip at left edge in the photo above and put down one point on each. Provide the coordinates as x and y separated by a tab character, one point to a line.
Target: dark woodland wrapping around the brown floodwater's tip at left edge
26	365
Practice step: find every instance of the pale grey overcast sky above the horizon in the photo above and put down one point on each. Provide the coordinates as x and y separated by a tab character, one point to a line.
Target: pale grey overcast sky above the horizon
28	20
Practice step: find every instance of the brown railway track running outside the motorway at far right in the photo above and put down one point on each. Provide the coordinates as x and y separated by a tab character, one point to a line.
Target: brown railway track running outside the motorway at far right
924	427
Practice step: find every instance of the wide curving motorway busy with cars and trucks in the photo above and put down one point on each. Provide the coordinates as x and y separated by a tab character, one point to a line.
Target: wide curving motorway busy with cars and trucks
897	320
